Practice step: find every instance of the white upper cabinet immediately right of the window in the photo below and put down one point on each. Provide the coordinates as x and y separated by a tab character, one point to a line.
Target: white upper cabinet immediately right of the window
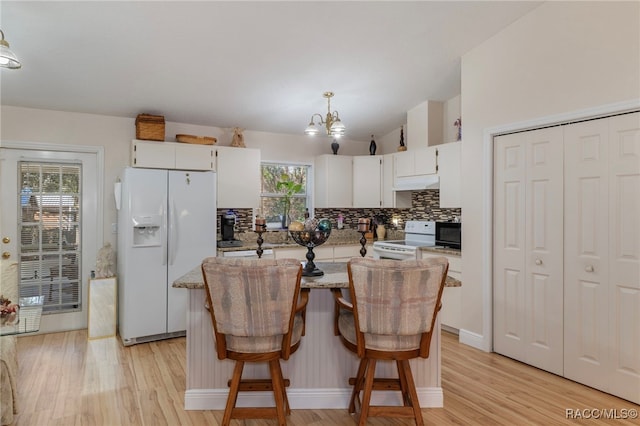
333	181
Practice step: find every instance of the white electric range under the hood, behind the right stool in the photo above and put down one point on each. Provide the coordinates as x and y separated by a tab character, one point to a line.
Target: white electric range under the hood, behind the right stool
417	233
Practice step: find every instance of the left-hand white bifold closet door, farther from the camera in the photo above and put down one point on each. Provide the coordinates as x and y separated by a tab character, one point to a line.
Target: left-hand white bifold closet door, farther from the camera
528	264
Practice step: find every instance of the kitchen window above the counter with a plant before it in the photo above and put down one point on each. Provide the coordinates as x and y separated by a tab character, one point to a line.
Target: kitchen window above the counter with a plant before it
273	201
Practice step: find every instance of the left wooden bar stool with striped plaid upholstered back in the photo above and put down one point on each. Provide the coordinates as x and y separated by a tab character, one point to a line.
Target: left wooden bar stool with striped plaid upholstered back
257	311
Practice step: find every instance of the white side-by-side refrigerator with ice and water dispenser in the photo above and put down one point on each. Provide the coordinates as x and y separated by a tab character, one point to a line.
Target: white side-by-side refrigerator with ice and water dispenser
166	226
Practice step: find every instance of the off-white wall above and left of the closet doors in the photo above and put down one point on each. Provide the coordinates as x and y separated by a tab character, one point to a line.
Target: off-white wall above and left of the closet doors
561	57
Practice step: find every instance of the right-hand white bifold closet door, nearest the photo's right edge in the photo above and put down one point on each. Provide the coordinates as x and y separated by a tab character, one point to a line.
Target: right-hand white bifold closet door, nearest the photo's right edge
602	254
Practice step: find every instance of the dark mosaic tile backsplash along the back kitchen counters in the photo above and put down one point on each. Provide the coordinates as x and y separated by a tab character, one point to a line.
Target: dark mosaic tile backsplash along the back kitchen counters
424	206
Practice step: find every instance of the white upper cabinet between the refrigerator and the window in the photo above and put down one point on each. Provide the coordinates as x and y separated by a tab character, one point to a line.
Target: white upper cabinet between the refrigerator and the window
238	177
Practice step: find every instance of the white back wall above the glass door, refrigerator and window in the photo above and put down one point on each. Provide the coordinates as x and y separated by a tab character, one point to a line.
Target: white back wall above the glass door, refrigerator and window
115	135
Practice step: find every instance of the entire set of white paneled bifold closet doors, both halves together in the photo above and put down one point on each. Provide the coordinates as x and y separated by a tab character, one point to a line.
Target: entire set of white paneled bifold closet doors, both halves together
567	253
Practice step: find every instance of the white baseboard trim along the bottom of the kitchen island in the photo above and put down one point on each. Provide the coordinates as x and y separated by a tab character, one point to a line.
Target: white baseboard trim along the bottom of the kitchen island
308	399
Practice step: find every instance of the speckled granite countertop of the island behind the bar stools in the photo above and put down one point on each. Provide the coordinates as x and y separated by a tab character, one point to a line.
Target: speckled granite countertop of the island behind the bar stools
335	276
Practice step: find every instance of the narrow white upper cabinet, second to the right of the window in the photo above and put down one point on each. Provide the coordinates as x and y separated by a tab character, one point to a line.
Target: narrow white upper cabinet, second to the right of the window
367	181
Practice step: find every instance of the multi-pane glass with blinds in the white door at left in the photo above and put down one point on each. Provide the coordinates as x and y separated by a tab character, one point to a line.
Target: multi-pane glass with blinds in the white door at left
49	220
